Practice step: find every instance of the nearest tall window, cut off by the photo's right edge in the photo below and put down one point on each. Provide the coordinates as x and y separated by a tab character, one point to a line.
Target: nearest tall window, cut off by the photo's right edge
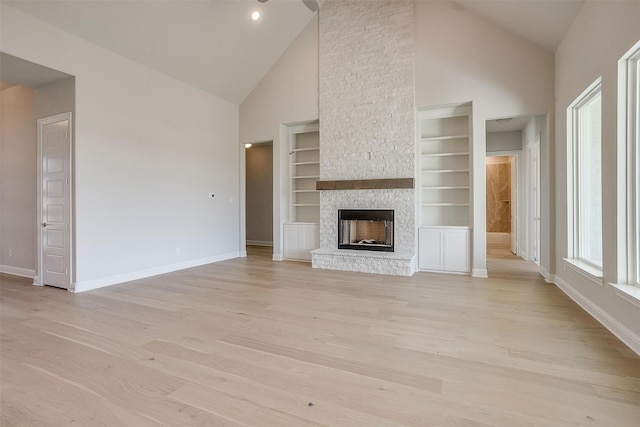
629	167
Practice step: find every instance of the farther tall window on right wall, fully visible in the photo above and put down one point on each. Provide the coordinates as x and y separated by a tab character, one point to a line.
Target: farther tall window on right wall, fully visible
584	167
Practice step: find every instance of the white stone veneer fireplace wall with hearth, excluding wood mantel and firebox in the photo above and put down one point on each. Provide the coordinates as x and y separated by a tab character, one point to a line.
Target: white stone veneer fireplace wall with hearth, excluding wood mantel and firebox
367	123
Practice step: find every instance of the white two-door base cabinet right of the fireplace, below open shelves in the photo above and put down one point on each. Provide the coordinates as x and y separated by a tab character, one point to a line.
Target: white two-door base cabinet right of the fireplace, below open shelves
445	249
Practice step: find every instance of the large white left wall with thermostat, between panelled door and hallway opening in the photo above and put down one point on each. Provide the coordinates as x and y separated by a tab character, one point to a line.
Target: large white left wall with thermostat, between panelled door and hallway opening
148	150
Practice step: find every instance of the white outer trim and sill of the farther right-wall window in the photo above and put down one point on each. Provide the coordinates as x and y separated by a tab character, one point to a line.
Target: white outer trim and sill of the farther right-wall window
587	269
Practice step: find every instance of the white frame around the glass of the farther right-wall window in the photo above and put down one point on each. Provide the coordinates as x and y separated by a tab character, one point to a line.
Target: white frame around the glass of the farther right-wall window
584	266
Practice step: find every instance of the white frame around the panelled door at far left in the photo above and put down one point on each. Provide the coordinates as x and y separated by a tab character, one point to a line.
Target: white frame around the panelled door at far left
38	279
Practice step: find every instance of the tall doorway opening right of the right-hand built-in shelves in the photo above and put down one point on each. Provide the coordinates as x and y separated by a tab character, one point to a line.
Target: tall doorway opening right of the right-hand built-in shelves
513	225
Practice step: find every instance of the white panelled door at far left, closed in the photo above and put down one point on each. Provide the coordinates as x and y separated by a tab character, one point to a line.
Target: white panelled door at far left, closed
54	185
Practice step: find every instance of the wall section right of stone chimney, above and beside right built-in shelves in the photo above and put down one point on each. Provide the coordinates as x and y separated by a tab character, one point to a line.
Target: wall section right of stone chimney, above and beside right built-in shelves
461	57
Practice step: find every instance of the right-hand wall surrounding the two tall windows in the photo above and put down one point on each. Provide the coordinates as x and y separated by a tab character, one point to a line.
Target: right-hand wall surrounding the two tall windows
599	36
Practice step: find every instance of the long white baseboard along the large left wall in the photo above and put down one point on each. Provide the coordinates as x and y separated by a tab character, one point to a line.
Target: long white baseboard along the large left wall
141	274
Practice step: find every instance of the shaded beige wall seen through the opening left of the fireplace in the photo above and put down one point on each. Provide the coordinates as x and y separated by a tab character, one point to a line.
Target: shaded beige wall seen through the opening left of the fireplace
259	195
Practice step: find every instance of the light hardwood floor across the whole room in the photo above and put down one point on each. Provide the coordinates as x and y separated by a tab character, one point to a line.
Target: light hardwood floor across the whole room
251	342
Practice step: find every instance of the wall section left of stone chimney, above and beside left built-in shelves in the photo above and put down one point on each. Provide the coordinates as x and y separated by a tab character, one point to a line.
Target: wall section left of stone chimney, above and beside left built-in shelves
287	94
